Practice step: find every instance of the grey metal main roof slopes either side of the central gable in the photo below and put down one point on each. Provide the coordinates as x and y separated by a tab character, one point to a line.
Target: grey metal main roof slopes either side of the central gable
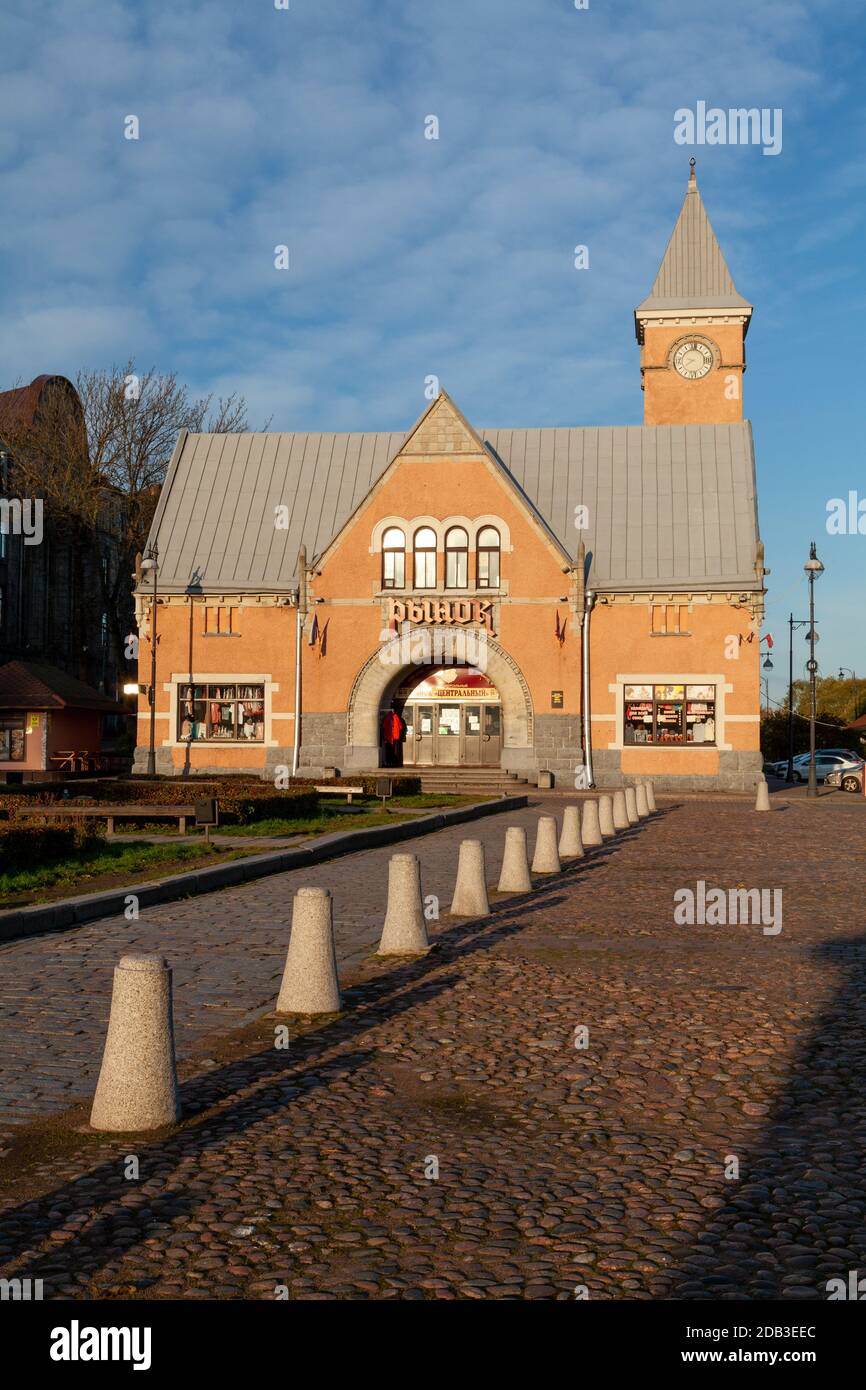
669	505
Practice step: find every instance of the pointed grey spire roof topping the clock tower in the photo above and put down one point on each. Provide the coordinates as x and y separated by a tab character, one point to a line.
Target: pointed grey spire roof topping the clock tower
693	273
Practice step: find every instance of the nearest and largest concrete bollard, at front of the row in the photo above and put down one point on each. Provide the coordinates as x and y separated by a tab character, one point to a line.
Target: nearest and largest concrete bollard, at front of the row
138	1082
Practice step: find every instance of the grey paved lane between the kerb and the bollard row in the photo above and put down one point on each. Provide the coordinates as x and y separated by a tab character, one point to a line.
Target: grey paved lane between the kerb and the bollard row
227	951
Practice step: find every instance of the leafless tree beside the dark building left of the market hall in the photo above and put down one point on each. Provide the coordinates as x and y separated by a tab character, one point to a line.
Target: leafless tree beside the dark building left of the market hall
99	466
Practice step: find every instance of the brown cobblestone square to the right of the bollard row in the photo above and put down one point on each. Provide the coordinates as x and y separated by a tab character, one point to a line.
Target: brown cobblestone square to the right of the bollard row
444	1138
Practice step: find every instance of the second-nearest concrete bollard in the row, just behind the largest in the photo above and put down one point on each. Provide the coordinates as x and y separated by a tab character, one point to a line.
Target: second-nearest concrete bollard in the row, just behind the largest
309	981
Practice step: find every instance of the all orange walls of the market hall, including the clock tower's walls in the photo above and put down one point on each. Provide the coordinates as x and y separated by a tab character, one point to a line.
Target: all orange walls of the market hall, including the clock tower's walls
667	664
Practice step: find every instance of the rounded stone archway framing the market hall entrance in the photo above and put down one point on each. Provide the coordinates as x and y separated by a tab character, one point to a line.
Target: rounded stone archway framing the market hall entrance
384	672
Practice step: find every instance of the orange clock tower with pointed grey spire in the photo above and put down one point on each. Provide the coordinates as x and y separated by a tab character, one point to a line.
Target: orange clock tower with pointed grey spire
692	327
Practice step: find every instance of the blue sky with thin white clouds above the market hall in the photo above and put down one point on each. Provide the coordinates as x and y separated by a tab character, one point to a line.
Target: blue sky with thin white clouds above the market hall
262	127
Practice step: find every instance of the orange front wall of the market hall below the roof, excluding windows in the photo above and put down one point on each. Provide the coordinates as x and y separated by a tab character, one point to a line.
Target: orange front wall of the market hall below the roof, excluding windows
341	671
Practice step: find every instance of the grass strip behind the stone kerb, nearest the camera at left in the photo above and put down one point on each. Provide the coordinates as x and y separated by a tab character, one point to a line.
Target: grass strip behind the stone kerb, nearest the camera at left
105	867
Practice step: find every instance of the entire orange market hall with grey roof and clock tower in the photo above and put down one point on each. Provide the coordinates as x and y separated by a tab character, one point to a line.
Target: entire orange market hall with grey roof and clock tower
583	601
